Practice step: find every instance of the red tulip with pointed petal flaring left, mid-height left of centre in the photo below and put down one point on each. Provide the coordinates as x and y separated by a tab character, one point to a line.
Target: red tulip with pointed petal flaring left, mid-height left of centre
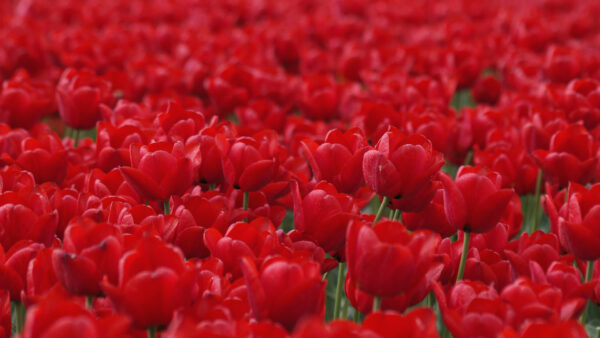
159	170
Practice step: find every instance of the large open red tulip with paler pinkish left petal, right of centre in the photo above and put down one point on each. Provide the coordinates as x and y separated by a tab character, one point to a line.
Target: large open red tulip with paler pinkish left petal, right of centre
401	167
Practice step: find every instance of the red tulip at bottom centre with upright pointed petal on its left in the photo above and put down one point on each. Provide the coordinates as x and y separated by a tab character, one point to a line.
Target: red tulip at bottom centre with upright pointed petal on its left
284	290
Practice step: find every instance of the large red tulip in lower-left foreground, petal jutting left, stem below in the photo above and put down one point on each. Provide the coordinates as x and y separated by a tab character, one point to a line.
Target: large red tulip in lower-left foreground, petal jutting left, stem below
156	269
